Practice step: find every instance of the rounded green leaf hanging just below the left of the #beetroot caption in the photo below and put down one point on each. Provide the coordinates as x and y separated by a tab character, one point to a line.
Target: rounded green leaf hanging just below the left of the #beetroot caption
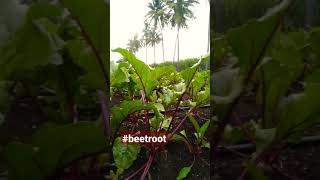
124	154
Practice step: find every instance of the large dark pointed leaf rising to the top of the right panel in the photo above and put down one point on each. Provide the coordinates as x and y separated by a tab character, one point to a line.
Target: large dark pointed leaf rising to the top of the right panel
249	41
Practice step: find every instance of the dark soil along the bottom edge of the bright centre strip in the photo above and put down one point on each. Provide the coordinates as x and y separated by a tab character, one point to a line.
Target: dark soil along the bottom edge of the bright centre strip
170	161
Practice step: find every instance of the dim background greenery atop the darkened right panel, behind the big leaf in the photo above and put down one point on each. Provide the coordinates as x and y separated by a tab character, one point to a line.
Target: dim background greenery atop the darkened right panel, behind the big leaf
232	13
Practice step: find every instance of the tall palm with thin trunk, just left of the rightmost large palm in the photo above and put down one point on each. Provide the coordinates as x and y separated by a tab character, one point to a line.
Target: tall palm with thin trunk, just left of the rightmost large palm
159	16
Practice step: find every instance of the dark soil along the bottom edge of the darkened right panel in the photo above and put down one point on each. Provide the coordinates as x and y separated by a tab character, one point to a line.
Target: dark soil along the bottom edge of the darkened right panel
301	162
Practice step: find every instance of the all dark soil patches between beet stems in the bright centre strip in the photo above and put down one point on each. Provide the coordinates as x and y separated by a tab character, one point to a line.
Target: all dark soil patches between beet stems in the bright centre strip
174	156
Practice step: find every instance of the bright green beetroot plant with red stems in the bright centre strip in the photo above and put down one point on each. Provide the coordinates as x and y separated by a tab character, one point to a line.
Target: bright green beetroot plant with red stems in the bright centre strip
153	99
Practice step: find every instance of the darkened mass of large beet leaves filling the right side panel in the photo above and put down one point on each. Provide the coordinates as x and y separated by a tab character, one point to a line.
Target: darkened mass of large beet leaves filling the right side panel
280	70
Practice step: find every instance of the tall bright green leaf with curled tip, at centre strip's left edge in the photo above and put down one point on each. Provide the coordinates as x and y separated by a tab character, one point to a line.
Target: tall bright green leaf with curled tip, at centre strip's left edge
145	77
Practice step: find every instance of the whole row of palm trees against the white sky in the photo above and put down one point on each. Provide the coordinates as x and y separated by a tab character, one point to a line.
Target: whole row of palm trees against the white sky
161	14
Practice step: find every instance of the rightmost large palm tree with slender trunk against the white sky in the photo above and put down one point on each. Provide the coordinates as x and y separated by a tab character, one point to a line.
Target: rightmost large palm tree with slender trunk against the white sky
180	13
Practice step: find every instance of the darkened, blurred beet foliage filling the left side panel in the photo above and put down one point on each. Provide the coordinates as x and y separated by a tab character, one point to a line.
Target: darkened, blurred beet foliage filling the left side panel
53	60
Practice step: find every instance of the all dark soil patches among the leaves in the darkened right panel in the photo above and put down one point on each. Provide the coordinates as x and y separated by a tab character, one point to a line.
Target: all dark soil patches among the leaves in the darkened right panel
299	162
